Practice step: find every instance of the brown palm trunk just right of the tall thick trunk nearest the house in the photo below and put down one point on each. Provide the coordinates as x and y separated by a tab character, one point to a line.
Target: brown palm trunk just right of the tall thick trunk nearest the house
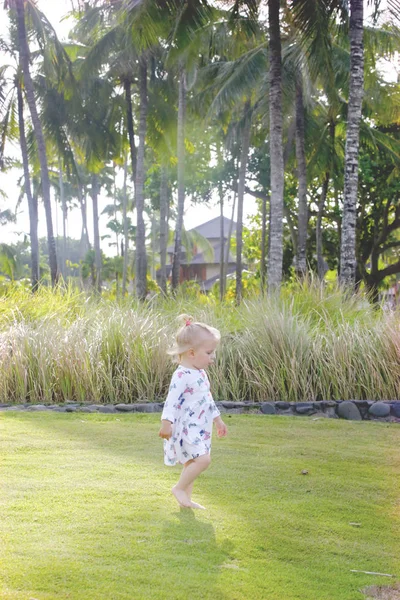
302	221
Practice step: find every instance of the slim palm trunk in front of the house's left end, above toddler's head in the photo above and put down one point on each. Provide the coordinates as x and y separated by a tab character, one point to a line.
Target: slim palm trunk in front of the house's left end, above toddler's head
181	181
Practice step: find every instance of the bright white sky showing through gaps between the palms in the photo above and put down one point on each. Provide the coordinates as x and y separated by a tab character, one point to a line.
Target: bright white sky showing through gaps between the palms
55	11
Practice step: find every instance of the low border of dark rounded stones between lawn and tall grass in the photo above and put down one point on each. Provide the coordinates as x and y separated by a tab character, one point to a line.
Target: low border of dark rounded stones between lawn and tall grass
353	410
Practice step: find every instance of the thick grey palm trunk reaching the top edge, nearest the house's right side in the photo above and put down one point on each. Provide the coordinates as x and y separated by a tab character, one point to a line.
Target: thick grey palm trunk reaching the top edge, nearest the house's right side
275	258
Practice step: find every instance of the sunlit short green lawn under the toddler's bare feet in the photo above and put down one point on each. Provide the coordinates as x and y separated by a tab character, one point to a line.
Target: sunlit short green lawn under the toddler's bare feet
86	511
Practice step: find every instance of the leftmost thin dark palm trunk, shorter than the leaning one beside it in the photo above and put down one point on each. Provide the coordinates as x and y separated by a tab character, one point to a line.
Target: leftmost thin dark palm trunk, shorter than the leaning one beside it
32	202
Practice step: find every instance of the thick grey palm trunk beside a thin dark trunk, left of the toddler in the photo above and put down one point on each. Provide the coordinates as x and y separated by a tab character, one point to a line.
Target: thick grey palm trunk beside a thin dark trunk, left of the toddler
141	258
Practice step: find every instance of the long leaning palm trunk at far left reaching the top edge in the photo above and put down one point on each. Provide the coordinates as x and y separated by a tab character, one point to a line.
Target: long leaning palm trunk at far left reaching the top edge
38	131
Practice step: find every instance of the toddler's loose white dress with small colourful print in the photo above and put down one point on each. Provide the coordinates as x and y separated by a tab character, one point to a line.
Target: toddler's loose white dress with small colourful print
191	409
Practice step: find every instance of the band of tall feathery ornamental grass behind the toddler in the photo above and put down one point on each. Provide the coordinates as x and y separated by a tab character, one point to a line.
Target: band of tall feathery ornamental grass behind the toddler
311	343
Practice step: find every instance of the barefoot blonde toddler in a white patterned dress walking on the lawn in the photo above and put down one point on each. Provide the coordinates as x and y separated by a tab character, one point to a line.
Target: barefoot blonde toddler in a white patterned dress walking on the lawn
189	410
